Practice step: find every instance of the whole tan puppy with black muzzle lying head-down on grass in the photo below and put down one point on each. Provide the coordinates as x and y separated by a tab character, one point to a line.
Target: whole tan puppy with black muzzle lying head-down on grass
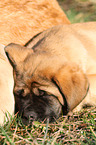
55	72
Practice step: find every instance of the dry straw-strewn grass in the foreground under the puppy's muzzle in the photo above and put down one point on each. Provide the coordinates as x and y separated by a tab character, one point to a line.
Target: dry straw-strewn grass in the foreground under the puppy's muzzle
80	128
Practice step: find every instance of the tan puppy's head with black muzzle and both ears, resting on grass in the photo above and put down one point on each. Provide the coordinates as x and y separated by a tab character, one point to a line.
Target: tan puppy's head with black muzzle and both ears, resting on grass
43	87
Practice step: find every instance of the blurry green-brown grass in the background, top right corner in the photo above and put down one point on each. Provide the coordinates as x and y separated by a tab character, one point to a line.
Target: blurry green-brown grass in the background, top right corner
79	10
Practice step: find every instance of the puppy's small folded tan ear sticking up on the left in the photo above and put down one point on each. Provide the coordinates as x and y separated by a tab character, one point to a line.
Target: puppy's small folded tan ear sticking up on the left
17	53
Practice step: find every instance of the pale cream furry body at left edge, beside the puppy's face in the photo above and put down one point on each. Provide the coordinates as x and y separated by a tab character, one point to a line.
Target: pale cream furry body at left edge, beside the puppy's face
6	86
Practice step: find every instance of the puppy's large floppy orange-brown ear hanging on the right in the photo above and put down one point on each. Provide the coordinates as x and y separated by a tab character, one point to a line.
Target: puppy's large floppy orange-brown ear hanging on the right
72	84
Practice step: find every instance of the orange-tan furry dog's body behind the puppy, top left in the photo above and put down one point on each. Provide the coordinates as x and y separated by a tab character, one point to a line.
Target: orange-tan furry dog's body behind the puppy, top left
21	20
